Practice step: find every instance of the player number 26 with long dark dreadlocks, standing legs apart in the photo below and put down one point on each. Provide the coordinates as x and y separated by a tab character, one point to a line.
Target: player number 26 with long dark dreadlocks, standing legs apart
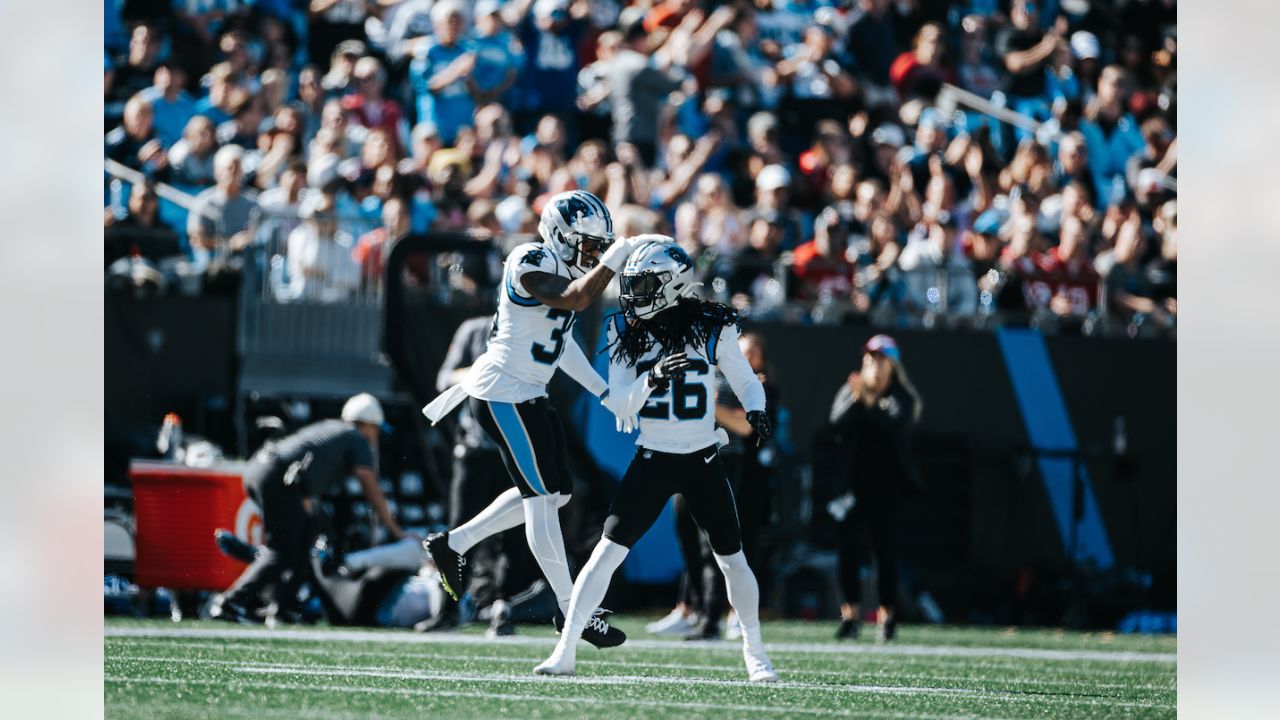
665	349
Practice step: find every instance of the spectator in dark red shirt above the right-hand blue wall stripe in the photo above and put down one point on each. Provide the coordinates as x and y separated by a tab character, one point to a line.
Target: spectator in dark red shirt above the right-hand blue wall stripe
1064	279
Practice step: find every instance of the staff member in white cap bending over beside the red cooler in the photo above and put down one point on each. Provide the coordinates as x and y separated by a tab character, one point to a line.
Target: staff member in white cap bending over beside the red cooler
285	479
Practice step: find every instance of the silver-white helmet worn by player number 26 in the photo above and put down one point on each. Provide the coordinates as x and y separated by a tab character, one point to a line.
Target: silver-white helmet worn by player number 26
655	279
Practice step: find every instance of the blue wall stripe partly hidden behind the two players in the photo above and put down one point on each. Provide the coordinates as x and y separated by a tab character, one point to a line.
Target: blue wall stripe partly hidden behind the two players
656	557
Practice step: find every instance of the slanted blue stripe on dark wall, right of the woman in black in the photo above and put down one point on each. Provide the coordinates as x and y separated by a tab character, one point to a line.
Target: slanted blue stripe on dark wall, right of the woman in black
1040	399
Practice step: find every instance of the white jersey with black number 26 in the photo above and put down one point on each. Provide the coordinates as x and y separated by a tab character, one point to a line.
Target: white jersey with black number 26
682	420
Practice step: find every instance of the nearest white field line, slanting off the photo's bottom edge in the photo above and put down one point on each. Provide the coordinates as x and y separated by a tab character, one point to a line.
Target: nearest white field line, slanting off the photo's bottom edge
785	710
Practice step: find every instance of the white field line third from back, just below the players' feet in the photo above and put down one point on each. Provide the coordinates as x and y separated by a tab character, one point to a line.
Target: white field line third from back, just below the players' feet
348	672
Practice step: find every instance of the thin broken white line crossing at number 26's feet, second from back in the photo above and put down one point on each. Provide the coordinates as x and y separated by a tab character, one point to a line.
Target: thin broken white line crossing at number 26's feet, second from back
732	668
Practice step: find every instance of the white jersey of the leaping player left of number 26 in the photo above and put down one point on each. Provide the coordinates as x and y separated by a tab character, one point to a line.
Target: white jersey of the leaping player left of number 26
529	338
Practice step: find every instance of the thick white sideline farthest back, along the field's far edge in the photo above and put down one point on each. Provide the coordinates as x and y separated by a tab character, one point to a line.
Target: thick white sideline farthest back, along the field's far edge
813	649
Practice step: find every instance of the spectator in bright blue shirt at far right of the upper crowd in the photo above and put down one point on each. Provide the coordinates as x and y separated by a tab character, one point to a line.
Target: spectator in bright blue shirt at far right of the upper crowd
1110	133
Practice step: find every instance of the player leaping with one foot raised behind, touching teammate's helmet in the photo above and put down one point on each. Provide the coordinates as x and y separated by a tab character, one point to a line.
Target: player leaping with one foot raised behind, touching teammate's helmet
545	284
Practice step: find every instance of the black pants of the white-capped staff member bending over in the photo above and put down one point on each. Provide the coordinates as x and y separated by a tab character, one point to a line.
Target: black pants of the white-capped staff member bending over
287	536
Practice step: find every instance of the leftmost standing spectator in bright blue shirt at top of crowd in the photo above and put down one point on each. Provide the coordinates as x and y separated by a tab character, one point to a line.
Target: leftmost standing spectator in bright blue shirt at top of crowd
442	74
